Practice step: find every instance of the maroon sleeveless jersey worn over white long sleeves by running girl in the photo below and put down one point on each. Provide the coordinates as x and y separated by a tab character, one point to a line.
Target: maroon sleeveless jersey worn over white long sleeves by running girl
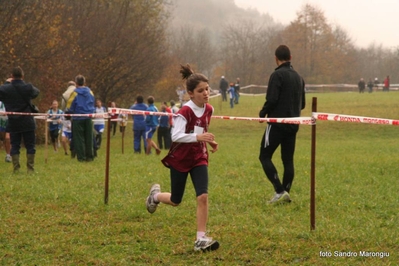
184	156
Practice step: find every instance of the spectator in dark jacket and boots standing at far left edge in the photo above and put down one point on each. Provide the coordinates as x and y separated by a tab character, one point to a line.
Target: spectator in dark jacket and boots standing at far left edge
17	96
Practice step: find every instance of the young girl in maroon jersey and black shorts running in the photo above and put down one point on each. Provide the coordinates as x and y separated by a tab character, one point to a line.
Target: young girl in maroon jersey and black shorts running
188	154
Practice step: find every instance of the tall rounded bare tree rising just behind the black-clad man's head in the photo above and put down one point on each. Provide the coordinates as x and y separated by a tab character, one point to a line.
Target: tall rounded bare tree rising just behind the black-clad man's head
322	54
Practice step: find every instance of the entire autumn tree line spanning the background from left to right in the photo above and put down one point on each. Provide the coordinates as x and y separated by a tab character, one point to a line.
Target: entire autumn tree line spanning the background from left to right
128	47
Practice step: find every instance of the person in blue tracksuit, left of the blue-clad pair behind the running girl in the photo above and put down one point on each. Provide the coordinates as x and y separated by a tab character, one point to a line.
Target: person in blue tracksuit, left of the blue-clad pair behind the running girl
139	125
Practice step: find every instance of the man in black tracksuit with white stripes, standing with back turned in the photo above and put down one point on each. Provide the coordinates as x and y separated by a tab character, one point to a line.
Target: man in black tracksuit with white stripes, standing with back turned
285	98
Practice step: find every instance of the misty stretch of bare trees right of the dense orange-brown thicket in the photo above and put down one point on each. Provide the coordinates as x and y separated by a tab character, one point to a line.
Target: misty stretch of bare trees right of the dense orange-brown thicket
323	53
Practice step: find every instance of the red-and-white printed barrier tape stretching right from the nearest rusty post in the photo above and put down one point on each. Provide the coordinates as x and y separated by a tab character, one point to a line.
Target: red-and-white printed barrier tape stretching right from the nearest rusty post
354	119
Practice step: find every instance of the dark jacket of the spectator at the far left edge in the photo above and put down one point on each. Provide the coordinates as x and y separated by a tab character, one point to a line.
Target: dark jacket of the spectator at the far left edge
16	97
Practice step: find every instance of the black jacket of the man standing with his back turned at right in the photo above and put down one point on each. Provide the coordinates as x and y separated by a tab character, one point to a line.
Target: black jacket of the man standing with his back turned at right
285	93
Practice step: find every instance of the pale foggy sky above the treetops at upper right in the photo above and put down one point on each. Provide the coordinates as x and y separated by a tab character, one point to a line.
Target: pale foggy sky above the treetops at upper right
365	21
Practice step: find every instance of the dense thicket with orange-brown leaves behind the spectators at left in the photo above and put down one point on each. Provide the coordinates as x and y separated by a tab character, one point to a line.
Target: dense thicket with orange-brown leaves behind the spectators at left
119	45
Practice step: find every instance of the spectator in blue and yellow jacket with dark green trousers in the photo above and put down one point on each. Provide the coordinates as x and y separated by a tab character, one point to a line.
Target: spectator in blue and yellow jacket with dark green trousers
81	101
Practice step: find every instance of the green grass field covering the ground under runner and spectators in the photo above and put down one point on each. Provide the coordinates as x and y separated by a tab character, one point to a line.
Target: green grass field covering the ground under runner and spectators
58	215
